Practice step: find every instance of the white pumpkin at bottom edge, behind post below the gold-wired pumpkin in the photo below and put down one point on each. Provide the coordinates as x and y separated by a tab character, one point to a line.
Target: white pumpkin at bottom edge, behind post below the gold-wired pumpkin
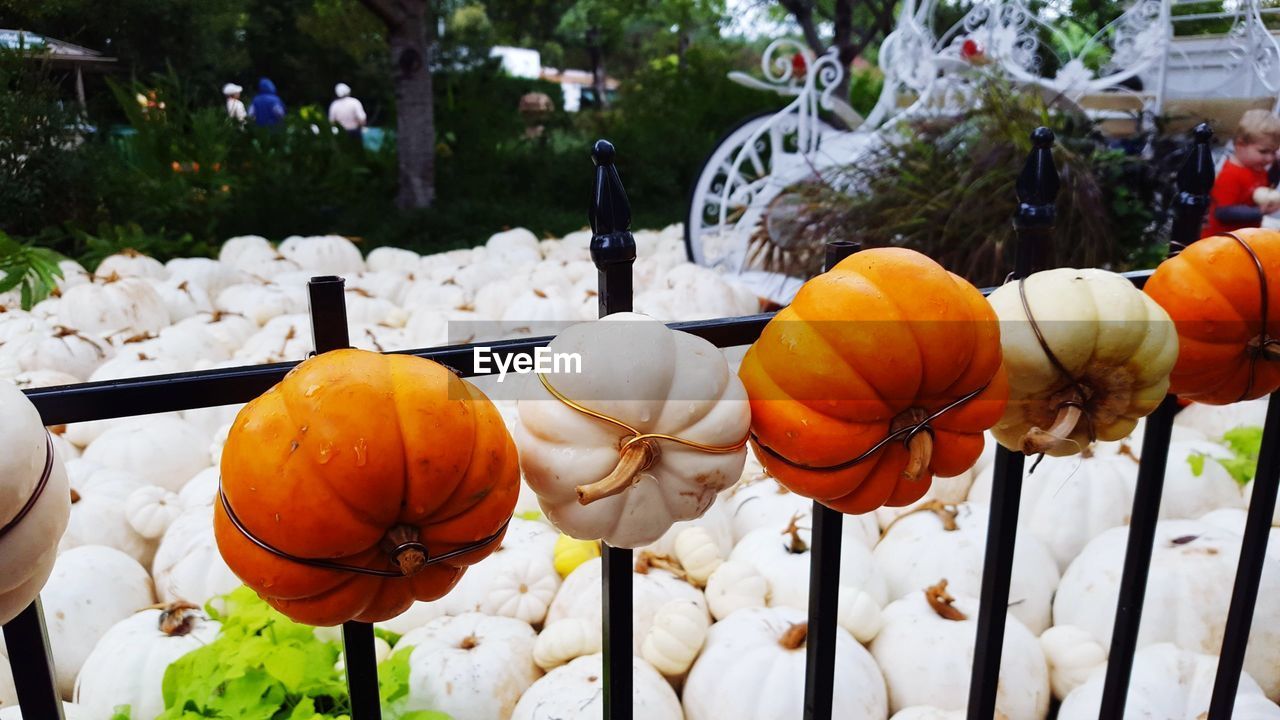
575	692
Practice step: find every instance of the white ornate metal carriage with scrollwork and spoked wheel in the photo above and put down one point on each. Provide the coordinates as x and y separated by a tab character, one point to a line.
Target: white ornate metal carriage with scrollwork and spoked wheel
1121	72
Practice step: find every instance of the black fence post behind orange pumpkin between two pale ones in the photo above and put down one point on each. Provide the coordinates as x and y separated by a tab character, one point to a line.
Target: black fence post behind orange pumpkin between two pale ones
820	681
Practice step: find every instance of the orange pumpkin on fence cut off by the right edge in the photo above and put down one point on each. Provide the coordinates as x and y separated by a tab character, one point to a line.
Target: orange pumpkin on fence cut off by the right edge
1214	293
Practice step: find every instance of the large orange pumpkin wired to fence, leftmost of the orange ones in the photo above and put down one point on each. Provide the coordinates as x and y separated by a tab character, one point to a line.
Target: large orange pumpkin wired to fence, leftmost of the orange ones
376	462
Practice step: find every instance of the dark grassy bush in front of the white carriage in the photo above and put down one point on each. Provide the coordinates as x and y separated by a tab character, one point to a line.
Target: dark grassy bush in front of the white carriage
945	186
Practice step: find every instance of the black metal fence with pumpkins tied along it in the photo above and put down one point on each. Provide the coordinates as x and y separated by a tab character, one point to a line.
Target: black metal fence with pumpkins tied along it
614	252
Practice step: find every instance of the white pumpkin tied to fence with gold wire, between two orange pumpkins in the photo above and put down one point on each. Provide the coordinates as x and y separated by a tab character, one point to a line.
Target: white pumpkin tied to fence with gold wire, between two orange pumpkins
680	386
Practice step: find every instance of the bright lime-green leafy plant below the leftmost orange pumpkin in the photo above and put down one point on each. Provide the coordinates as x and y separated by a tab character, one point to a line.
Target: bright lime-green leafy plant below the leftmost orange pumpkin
264	667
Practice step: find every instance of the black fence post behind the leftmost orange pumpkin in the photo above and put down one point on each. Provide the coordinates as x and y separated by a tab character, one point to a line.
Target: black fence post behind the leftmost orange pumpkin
330	330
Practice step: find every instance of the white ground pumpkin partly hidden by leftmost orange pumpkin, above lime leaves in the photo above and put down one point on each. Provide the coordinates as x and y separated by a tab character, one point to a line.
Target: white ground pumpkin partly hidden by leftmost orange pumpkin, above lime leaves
188	564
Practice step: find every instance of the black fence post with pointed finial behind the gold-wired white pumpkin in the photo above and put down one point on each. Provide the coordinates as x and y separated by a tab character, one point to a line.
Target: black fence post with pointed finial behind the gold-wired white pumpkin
614	250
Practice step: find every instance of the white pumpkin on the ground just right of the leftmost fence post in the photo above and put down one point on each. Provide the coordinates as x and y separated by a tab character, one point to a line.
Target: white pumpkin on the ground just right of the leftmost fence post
92	589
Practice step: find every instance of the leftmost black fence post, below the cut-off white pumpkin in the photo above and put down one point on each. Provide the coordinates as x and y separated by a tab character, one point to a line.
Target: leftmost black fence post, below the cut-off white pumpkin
33	664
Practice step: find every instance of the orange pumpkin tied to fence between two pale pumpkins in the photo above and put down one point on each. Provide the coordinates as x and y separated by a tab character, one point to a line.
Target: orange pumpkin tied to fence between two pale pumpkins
885	340
